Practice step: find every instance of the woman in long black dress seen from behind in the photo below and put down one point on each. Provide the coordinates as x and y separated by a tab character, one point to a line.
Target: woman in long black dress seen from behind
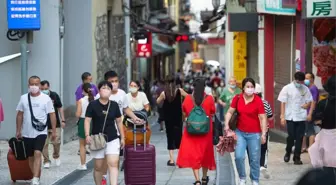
172	100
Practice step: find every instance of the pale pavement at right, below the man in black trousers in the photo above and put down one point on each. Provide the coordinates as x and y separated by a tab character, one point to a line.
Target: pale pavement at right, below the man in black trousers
281	173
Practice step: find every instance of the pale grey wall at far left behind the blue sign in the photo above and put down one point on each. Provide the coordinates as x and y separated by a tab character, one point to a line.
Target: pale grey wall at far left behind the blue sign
43	61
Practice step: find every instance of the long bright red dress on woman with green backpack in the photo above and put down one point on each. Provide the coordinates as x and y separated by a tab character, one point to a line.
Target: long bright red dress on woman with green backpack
197	151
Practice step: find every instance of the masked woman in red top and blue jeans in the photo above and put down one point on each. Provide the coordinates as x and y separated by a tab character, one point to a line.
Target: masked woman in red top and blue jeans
251	130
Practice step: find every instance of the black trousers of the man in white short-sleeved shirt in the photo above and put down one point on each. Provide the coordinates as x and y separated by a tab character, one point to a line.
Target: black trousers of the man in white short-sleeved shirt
296	131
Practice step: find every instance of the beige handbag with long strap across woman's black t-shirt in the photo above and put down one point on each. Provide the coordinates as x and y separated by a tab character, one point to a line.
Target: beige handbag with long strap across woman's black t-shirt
98	141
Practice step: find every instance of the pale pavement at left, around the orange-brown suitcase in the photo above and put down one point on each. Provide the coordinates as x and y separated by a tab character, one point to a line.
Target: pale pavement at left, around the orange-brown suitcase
69	158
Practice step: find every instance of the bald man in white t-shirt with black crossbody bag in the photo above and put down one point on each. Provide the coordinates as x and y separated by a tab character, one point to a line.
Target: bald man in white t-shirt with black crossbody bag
32	127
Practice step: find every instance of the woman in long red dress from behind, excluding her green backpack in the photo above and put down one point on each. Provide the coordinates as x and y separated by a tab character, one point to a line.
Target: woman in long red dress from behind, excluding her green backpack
196	151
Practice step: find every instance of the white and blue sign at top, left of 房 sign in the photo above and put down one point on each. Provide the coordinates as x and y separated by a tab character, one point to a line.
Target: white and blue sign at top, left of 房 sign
274	7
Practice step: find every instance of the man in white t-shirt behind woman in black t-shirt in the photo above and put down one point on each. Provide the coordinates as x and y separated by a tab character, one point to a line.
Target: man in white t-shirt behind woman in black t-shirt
119	96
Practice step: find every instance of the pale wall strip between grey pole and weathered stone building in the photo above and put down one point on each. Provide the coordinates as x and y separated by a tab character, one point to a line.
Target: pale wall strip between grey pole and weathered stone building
77	46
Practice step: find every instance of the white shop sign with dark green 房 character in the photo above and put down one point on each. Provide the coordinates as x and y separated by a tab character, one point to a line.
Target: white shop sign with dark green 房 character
320	8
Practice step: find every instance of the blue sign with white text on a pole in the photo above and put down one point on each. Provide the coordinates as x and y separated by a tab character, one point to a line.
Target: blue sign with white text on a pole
23	14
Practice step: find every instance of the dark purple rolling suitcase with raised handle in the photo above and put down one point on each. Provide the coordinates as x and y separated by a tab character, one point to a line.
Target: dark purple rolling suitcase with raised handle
140	163
